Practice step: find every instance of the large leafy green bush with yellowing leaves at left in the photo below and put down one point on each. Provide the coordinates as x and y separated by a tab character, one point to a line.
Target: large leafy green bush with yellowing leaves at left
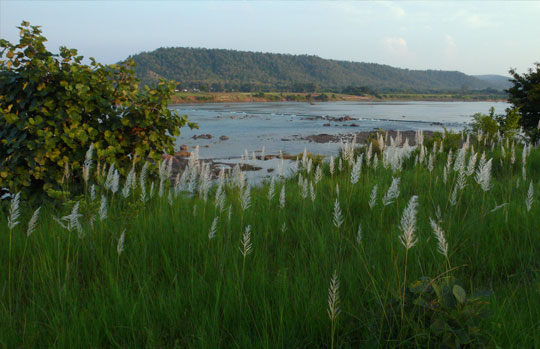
53	108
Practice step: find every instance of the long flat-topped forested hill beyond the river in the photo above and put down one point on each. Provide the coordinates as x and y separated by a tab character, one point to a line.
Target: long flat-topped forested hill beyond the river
226	70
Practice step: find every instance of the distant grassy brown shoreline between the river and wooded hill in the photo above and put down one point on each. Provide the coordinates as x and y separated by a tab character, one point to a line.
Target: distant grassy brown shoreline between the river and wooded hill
315	98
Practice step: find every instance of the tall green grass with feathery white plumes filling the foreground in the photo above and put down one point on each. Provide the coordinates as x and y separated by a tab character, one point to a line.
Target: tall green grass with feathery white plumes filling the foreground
325	257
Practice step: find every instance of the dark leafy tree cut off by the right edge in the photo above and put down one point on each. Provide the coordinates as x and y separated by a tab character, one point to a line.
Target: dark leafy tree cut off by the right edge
525	95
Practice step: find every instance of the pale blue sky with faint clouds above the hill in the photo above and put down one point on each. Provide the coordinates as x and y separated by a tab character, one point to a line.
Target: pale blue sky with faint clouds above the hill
484	37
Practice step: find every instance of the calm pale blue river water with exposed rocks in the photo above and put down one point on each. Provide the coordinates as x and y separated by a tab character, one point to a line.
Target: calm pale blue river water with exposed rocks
254	125
